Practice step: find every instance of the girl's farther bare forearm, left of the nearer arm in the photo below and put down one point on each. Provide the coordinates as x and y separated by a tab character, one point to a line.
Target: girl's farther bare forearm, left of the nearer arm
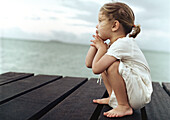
90	56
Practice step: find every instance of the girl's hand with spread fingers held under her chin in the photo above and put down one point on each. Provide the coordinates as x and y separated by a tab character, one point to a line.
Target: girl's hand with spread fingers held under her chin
98	42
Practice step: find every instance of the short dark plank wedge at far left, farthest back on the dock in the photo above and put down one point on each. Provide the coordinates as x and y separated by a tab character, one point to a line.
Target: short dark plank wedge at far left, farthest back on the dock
8	77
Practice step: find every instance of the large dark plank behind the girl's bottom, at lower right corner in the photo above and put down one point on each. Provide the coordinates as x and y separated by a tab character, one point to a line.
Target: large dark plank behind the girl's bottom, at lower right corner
159	107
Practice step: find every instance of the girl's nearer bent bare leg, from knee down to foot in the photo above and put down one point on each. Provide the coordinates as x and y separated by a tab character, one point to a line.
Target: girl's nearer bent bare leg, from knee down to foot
119	87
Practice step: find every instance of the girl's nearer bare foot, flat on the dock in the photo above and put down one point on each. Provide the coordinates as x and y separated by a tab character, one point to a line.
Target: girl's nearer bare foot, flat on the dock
119	111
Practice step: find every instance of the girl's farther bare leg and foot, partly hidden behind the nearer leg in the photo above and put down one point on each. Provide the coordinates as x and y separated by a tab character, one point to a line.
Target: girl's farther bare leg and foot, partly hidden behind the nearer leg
108	88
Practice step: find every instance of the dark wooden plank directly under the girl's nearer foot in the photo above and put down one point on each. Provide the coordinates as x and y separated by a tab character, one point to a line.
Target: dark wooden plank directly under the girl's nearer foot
136	115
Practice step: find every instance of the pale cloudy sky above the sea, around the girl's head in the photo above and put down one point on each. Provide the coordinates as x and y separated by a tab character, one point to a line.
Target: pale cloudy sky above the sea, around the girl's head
74	21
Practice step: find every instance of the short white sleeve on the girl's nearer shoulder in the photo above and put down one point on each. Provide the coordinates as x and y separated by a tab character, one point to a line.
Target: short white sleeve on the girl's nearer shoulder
120	49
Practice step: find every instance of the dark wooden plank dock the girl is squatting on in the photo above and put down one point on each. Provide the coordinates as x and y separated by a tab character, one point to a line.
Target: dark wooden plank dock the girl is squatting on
47	97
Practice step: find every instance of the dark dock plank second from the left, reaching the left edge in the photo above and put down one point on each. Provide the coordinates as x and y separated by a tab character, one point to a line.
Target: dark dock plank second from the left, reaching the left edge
15	89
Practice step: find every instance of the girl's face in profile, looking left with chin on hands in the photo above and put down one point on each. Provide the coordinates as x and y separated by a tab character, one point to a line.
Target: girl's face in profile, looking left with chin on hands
103	26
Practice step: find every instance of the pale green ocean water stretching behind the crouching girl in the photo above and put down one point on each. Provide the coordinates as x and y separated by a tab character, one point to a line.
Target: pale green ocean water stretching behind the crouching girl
56	58
